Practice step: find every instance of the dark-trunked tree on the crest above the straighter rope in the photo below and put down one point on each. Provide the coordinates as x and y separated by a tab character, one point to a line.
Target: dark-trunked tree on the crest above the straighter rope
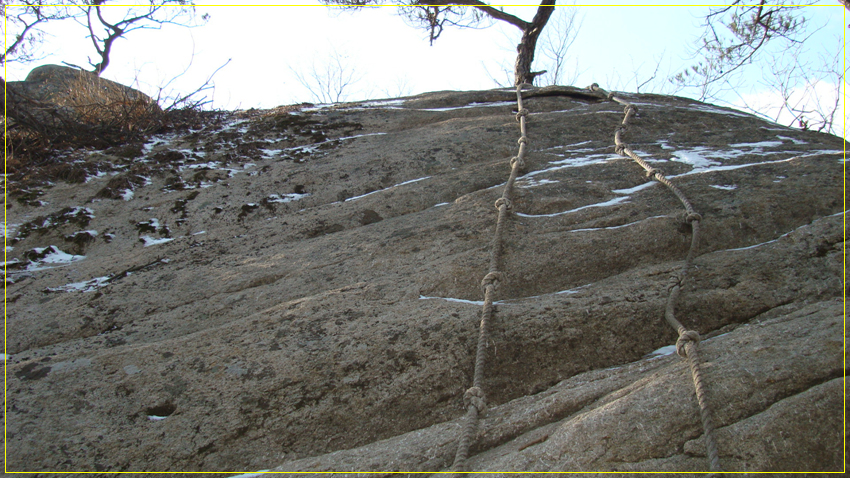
434	15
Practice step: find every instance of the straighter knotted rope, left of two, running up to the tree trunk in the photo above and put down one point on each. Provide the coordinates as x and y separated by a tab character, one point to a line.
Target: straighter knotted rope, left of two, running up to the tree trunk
474	397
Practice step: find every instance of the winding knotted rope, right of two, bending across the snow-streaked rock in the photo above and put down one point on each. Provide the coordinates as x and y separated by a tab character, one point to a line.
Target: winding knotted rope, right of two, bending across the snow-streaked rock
687	344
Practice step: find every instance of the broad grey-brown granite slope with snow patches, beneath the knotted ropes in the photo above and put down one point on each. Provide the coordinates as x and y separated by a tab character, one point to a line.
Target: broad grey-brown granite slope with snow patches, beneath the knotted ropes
298	290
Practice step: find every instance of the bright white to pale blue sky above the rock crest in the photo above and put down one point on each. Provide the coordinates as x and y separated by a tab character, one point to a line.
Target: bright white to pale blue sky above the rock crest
266	39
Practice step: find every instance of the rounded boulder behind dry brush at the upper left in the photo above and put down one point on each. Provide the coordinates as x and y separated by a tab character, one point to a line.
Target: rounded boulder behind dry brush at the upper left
59	96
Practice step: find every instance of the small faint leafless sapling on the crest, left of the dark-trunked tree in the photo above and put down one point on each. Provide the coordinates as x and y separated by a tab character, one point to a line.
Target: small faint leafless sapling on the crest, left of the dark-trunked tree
331	81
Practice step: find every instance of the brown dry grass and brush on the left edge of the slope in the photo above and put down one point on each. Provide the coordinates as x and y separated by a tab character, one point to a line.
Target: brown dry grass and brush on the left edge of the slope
43	139
